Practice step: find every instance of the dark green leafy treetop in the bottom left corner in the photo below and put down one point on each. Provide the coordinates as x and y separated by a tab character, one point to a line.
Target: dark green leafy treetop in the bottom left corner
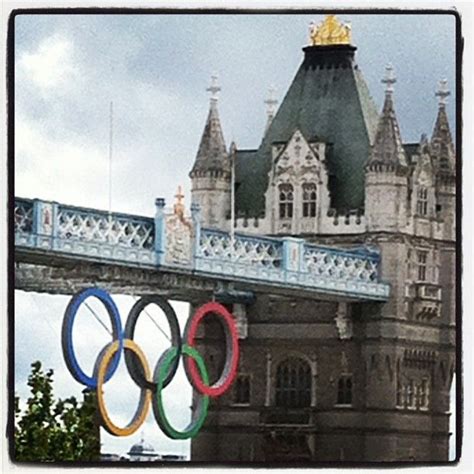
50	430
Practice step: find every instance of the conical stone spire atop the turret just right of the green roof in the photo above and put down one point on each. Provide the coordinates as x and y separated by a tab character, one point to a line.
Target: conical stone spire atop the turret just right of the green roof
387	149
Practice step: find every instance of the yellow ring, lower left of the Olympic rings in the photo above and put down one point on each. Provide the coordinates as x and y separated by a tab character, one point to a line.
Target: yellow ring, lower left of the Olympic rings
102	364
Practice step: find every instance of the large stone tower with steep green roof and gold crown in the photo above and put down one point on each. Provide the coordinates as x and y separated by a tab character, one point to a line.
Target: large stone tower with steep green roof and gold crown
340	380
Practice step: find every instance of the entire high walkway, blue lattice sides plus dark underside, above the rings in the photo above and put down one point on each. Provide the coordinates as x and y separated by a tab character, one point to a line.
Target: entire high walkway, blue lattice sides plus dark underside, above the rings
74	247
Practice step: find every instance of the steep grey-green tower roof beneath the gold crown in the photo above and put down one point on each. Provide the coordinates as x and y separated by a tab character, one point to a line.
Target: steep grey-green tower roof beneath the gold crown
328	101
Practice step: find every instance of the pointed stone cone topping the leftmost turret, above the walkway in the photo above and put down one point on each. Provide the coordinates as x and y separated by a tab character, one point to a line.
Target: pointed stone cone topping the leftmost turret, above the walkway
212	154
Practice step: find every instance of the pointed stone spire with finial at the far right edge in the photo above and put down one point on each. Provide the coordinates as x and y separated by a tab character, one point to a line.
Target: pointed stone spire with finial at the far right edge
441	140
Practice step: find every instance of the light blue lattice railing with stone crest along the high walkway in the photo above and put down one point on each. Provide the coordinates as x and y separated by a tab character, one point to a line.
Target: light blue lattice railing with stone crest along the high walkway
130	239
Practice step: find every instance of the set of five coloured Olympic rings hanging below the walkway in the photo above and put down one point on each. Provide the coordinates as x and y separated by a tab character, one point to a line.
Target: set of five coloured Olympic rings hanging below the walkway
151	387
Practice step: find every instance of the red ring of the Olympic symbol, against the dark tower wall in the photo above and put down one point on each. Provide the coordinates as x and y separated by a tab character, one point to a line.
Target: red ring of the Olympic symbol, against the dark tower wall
232	350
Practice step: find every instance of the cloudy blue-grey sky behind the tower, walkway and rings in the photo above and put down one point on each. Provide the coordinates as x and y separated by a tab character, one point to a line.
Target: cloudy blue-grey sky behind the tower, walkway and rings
156	69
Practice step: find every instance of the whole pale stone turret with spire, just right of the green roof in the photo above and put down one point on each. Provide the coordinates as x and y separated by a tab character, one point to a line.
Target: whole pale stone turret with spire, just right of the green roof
386	170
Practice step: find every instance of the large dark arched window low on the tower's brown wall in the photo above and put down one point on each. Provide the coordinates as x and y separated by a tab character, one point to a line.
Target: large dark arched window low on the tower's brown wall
293	384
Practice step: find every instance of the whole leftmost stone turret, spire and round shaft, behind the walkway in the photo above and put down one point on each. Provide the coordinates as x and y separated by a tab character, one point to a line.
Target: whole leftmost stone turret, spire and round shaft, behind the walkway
211	173
